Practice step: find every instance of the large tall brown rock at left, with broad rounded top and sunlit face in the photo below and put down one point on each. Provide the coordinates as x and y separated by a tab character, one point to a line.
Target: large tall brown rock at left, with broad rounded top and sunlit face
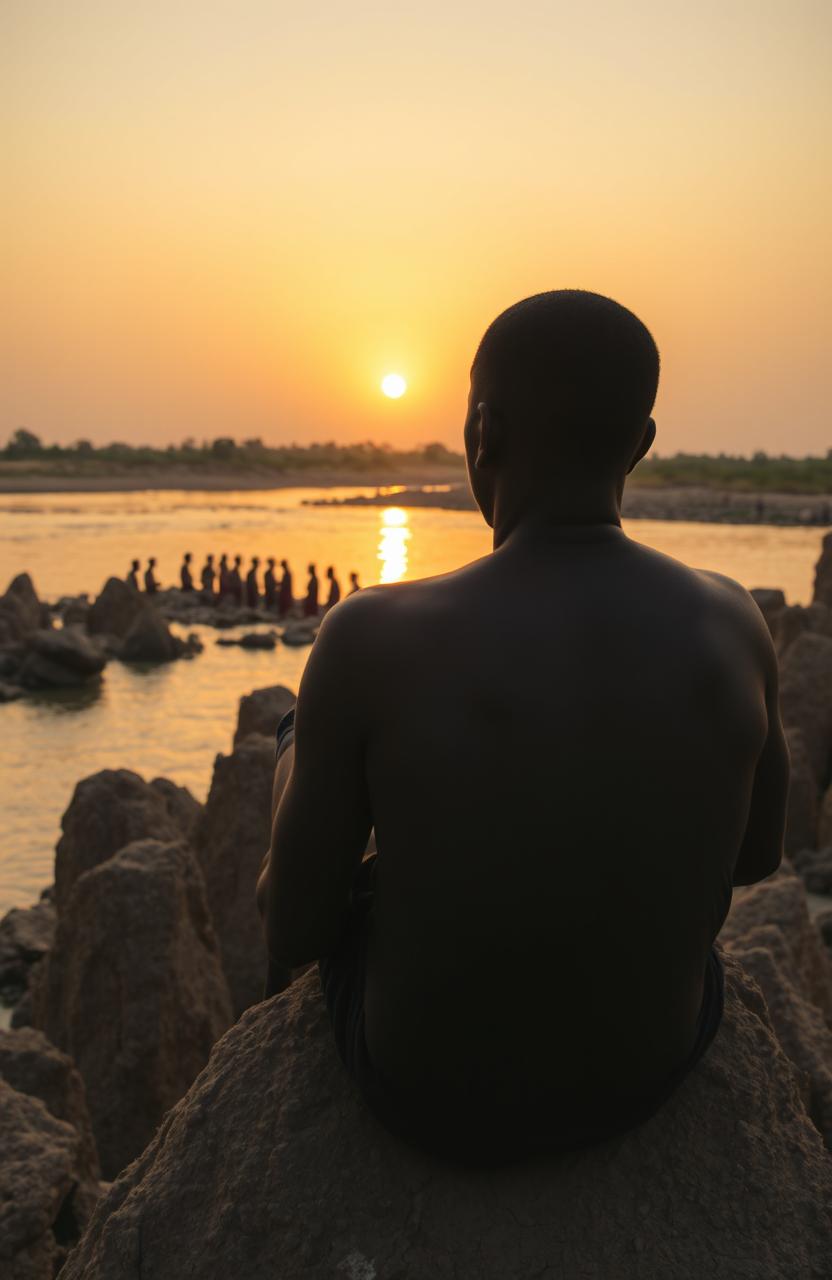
134	990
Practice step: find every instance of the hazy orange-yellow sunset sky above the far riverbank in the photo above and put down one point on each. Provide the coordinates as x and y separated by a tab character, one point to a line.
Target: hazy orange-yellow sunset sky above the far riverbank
235	217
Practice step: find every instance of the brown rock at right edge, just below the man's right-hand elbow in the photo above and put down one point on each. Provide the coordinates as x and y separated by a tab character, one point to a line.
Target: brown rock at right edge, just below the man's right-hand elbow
770	931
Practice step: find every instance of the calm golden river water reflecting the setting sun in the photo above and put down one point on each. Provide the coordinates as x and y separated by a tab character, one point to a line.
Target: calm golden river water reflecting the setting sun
173	721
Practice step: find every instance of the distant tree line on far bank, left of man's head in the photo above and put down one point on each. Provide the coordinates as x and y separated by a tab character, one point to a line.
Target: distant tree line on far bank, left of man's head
225	454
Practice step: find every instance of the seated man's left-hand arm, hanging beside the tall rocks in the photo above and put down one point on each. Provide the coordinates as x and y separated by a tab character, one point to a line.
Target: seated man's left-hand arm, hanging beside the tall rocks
323	819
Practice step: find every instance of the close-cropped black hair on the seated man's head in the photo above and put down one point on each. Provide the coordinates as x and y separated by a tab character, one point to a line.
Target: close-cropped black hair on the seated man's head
570	376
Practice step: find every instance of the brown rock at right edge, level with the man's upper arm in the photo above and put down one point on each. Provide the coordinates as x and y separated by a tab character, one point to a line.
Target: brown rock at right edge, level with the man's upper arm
806	697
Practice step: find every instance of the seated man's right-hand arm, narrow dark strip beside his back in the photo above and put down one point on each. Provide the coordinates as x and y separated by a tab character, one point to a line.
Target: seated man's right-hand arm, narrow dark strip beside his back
762	849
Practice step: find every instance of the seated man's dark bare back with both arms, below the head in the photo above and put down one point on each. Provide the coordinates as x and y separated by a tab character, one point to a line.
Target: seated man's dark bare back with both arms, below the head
570	752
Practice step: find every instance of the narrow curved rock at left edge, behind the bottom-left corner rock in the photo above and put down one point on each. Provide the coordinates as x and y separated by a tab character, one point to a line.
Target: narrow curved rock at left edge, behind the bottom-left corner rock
30	1064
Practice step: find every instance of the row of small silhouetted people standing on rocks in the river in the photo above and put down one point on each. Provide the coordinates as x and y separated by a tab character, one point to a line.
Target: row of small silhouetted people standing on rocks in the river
225	582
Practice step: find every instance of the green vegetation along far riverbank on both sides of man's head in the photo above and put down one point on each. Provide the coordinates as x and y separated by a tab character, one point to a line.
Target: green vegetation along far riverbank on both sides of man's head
761	473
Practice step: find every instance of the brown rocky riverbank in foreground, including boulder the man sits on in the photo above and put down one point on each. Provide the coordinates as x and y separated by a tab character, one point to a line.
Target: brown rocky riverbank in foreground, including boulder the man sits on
140	1052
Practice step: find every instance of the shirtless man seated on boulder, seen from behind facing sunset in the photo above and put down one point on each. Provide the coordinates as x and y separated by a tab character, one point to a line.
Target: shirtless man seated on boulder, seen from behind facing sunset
563	797
